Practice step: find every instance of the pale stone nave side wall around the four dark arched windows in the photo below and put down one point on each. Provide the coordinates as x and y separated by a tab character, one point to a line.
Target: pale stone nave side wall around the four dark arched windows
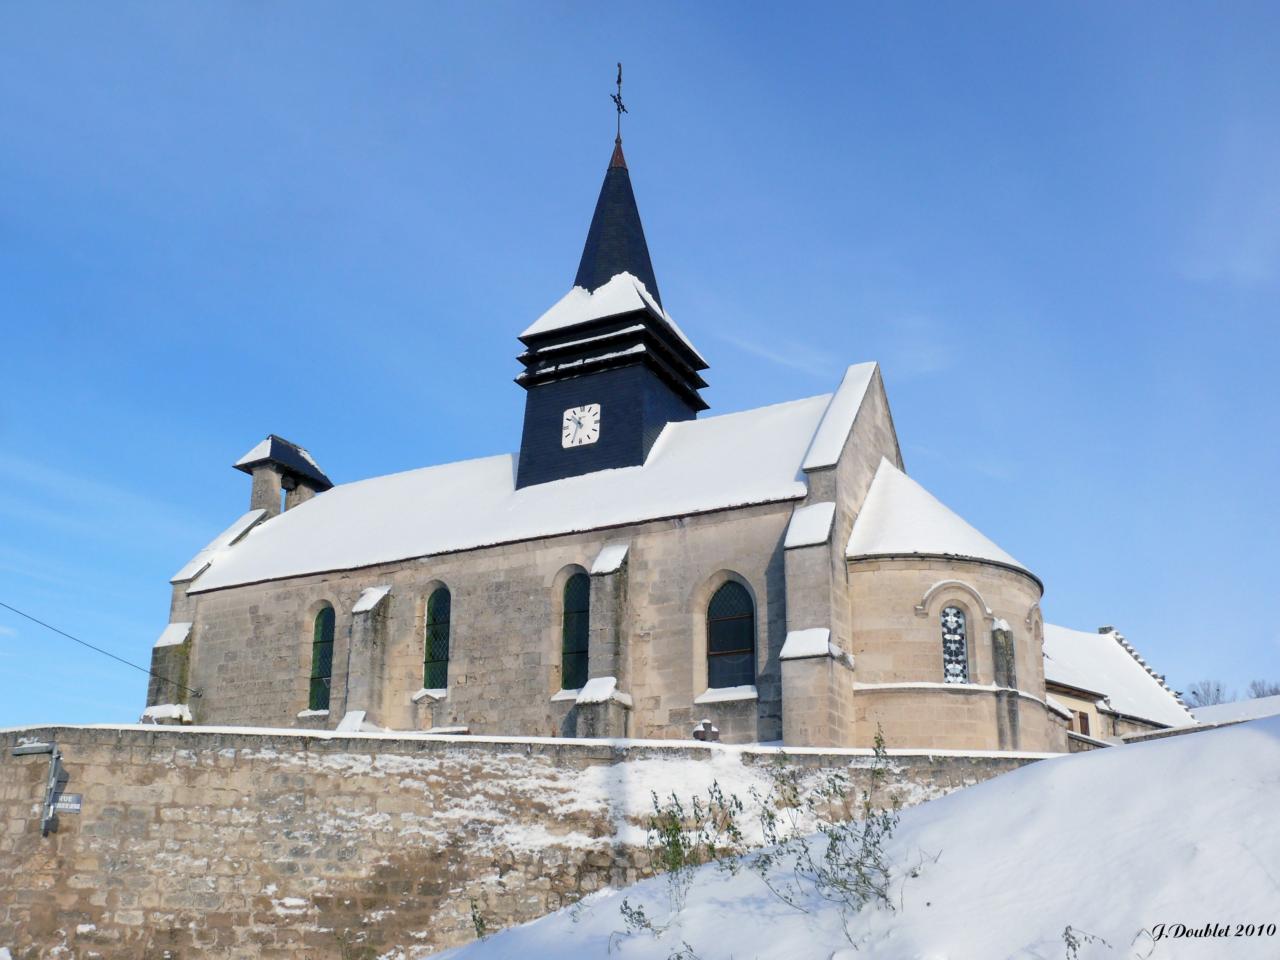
252	646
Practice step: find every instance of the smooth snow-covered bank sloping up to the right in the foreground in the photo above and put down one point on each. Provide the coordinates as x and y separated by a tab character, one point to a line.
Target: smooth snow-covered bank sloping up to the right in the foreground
1112	843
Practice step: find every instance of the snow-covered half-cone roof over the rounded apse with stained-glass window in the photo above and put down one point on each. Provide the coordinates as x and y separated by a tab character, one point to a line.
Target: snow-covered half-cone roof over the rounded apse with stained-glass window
900	518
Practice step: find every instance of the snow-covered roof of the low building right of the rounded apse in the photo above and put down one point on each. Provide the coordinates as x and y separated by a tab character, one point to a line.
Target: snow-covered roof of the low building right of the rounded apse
1105	665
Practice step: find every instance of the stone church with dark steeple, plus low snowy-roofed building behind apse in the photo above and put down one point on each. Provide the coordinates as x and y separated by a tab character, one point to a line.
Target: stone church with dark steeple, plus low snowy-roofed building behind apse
639	569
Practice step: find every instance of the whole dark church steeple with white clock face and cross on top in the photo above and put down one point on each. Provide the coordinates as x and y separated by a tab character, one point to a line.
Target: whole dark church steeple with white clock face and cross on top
606	369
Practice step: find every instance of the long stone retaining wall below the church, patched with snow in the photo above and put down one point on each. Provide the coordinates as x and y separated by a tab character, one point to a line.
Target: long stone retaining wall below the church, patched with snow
289	844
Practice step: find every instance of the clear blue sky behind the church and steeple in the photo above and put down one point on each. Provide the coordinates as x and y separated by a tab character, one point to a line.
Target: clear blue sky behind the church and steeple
1055	226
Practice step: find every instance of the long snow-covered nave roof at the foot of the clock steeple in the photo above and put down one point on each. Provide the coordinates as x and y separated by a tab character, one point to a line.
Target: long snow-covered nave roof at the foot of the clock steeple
696	467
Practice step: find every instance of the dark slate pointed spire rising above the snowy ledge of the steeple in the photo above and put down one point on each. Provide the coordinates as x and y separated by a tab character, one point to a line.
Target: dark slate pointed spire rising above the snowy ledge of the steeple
616	240
